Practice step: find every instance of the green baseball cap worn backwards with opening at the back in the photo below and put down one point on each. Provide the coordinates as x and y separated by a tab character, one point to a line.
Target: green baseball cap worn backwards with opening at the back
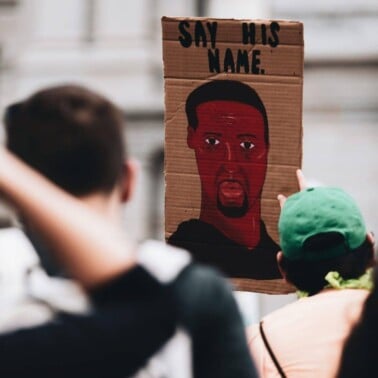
318	211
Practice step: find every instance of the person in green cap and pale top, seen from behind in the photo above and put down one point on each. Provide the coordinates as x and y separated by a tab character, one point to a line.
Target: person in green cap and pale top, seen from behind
325	254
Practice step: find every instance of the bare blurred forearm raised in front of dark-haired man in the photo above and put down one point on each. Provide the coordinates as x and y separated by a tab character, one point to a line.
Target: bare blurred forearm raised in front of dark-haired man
86	245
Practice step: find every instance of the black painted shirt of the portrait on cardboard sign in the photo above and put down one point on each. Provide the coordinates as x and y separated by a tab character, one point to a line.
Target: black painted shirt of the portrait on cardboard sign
209	246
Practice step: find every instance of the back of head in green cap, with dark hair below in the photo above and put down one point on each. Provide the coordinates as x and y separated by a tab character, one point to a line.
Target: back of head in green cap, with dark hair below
321	231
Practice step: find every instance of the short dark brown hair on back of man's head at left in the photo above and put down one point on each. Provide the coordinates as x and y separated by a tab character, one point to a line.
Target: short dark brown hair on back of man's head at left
71	135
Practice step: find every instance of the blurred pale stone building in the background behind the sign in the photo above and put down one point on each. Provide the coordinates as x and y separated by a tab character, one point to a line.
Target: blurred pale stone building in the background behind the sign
114	46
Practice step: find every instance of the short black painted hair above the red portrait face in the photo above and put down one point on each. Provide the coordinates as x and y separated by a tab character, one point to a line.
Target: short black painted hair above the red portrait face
224	90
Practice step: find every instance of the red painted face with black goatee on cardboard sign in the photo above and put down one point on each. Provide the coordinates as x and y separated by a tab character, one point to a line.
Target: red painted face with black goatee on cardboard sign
231	153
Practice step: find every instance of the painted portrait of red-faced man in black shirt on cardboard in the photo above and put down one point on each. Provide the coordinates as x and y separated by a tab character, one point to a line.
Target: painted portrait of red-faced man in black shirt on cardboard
228	131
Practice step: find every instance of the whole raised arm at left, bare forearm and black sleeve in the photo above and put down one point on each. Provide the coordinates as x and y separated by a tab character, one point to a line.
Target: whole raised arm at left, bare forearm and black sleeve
133	315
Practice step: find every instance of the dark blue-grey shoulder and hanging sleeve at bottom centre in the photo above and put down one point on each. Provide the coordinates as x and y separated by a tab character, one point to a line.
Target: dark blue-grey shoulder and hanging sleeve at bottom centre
208	311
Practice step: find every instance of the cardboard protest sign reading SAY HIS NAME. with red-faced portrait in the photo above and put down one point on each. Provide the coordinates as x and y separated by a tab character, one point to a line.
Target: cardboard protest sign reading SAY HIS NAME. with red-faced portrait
233	98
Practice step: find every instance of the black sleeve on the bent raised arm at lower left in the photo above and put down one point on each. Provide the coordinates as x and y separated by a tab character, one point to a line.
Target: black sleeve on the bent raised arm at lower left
134	316
